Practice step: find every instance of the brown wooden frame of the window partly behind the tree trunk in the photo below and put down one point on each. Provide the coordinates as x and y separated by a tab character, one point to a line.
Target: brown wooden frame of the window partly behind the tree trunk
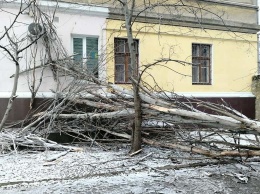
126	58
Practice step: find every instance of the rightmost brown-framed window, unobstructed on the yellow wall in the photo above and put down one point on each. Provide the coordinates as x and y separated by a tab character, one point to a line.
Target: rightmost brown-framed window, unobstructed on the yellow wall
201	64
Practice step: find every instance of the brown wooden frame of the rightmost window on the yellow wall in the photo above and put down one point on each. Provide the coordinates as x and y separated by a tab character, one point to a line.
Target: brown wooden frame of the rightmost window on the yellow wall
201	58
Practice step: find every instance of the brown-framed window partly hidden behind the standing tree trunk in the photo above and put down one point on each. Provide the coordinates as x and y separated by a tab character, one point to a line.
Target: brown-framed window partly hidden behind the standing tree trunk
123	61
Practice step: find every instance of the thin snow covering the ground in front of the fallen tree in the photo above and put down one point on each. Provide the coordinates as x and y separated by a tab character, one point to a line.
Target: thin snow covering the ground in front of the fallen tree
114	171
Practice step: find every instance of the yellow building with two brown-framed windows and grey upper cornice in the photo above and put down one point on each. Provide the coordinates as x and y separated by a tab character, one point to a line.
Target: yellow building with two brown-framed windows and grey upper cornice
212	48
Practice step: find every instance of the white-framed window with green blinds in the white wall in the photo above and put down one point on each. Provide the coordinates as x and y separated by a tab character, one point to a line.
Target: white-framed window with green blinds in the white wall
86	53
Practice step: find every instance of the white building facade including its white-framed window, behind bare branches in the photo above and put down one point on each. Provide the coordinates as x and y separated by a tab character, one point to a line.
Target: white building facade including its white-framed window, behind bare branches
78	27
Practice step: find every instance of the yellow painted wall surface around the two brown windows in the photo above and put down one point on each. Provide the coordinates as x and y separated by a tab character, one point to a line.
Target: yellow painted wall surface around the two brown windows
234	56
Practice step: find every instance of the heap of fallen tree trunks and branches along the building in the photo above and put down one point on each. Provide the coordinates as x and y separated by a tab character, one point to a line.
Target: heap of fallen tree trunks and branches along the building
95	112
